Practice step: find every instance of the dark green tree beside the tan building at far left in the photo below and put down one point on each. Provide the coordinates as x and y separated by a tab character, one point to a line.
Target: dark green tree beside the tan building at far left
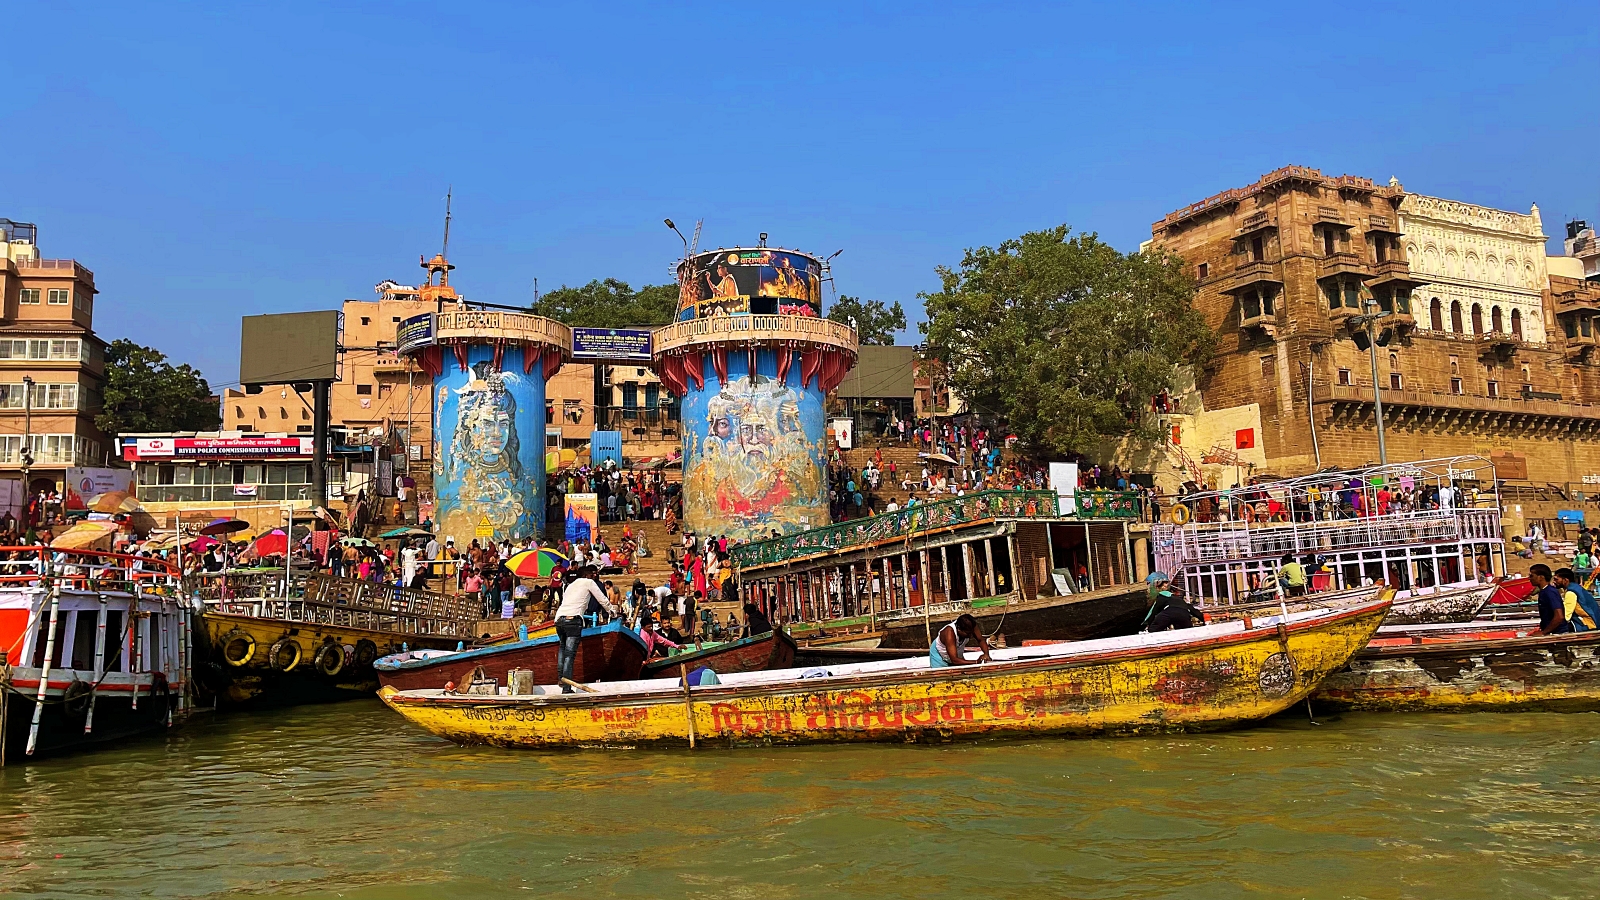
146	393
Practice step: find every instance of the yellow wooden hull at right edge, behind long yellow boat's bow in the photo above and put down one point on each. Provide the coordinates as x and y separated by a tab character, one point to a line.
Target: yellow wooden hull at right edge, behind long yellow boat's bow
1457	673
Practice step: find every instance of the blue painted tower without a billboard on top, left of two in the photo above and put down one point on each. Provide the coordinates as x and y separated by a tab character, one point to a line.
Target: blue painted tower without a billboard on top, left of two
490	371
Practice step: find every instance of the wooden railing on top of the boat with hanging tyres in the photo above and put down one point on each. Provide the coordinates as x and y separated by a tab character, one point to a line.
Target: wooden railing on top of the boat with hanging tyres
350	603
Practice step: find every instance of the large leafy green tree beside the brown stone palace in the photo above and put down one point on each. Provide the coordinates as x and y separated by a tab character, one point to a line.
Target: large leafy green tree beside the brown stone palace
1063	335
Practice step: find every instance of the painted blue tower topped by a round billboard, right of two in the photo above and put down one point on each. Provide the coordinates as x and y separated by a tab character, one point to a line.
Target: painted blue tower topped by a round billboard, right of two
754	361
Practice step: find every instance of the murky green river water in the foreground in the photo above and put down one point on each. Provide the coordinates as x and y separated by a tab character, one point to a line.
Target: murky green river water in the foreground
351	802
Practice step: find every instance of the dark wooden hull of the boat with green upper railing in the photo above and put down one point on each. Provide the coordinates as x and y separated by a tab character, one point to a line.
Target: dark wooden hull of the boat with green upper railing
1047	619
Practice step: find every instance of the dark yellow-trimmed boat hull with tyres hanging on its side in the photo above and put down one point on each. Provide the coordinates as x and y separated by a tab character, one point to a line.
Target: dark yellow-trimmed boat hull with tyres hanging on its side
258	685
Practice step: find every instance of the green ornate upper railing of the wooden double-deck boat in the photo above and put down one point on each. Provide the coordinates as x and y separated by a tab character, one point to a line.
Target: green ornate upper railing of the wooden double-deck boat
980	507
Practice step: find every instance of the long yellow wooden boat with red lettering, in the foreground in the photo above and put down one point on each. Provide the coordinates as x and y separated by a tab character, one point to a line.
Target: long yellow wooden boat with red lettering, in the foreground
1202	678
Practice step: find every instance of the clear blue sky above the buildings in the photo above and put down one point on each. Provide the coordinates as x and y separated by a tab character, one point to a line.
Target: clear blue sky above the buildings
220	161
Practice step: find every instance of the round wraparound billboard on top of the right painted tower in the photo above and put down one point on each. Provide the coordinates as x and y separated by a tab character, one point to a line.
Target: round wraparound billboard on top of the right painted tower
750	281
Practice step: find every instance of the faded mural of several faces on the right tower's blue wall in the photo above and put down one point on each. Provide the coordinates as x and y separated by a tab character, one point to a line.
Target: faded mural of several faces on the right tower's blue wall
754	459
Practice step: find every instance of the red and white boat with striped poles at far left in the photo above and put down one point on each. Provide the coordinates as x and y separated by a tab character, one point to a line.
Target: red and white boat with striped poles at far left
94	649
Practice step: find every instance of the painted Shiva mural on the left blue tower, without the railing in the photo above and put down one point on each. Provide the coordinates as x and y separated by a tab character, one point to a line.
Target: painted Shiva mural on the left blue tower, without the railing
484	470
